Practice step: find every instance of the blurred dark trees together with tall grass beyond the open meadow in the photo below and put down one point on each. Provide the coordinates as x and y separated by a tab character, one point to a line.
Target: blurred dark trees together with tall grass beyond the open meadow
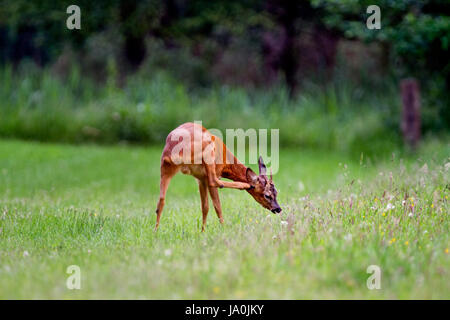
138	68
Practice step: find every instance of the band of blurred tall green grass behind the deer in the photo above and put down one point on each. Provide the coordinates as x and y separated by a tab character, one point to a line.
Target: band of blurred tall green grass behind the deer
40	105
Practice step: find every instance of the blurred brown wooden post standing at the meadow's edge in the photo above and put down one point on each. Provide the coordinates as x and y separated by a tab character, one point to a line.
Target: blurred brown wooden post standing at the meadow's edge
411	111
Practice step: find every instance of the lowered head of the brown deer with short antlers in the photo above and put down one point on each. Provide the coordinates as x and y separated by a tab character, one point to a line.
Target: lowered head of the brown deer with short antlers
262	188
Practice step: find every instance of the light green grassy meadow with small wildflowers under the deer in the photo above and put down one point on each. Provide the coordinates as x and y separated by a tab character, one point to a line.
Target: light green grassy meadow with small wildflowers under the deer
94	207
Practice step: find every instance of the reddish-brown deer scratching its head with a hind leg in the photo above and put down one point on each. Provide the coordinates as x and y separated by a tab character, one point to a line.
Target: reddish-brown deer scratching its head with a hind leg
193	150
